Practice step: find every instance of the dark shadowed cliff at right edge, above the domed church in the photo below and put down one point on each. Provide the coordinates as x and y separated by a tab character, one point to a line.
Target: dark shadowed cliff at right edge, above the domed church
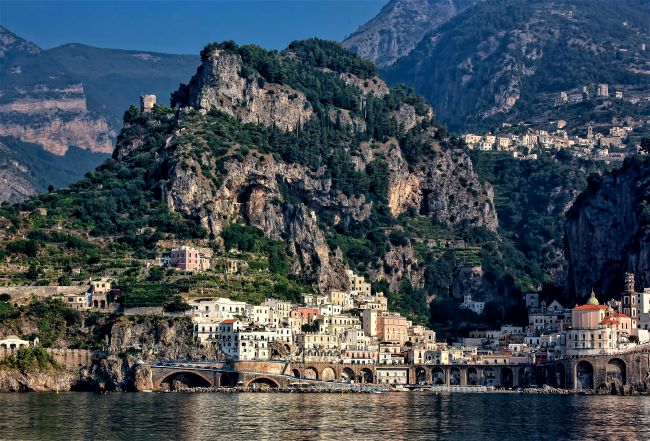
607	232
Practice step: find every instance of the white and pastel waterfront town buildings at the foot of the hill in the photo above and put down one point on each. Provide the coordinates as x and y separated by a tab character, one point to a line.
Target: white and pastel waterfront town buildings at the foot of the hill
355	327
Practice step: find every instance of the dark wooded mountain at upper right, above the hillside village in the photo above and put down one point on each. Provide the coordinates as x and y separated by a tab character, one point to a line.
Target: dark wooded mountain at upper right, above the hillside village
508	60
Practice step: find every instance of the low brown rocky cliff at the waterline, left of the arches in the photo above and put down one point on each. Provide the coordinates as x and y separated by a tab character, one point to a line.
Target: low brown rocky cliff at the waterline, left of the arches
117	368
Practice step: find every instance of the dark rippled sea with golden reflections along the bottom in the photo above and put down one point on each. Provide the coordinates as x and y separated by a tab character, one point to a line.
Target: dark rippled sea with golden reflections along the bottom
394	416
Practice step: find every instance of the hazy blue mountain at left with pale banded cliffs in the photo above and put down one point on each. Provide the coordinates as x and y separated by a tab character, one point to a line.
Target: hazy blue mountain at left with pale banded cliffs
72	96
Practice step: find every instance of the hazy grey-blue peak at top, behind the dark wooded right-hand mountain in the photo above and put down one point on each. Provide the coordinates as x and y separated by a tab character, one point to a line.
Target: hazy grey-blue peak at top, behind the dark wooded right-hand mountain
400	26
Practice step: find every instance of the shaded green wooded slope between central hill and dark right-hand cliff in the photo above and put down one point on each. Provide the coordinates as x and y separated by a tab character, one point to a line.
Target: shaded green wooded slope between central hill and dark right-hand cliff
530	199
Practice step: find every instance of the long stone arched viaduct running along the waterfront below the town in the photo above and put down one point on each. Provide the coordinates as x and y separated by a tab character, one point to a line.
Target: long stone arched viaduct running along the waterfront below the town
613	373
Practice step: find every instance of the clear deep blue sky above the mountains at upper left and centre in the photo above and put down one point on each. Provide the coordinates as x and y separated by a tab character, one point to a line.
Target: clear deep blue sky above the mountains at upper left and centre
183	27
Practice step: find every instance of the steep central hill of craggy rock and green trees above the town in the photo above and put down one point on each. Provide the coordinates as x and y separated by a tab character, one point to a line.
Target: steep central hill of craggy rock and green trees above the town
309	147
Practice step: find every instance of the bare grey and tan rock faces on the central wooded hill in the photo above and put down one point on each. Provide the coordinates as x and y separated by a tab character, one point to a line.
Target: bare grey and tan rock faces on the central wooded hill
284	199
